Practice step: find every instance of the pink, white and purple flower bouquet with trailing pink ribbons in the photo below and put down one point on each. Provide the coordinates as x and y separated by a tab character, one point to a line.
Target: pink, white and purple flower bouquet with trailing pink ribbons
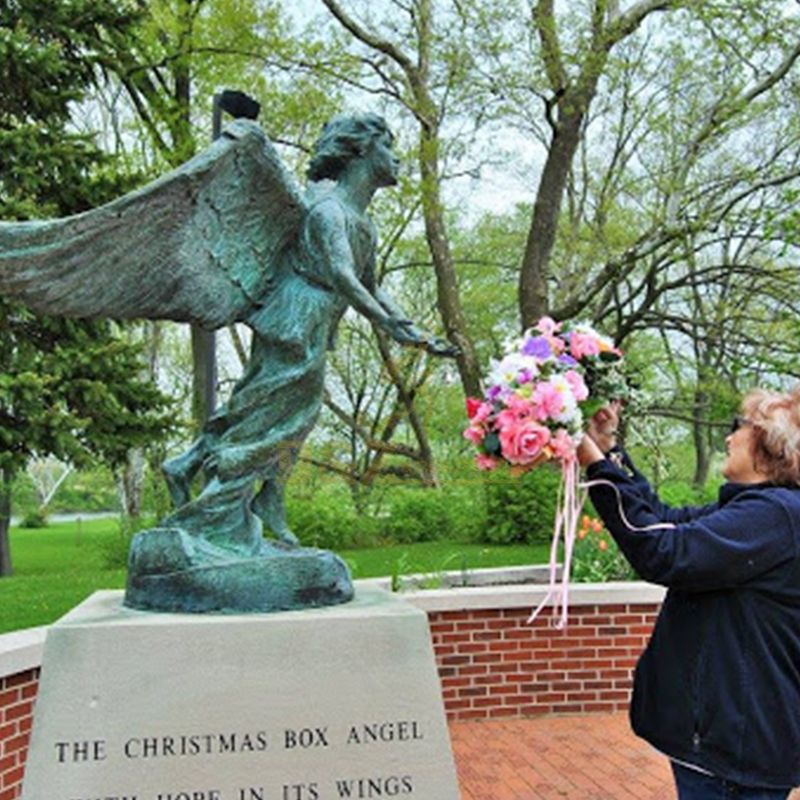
533	411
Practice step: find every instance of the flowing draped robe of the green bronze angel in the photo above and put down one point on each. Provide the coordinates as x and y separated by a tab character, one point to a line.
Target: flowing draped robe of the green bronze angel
257	435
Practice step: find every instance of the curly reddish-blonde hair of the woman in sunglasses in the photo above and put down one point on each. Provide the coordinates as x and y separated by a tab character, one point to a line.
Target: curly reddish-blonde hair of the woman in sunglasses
776	433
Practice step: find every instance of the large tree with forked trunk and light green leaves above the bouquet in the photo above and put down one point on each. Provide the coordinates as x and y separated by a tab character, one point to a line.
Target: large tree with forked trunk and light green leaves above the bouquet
629	104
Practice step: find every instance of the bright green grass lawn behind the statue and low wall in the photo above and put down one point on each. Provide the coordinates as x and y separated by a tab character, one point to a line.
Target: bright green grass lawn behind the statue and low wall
58	566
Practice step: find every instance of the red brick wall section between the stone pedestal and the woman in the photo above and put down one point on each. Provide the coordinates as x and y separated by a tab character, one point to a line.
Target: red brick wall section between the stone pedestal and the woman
492	663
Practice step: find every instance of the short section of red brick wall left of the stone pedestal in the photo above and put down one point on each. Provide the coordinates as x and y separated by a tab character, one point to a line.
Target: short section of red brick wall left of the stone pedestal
17	695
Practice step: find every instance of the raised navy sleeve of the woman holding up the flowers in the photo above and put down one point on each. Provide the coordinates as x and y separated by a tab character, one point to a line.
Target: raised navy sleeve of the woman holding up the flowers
732	545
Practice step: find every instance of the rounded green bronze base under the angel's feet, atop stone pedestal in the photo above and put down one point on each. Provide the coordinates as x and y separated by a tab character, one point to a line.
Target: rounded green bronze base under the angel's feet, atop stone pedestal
168	570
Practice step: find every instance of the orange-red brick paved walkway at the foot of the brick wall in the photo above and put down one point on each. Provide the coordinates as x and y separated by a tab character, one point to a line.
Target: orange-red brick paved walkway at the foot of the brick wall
594	757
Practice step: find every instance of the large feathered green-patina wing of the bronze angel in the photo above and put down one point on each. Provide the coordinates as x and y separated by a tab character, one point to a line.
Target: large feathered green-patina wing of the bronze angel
198	245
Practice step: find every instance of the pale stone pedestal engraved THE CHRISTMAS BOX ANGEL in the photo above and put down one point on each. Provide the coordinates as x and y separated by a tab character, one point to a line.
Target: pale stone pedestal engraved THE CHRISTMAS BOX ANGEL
339	702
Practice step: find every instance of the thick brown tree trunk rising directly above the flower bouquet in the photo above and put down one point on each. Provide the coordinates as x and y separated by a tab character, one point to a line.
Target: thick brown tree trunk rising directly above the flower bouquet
533	294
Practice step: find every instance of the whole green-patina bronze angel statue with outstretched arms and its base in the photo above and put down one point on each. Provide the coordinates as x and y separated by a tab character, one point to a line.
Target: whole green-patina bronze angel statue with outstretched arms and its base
228	237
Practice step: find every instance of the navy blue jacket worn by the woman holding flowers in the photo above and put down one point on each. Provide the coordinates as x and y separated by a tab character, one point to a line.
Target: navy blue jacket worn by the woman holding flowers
718	685
